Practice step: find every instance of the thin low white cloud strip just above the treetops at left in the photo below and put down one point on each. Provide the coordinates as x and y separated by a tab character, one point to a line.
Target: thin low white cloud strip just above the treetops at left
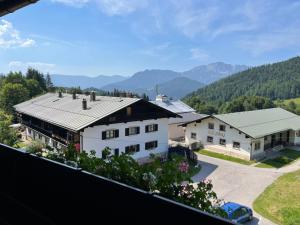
23	66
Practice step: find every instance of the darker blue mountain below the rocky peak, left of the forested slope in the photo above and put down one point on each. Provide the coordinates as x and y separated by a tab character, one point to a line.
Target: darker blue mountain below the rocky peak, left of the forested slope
176	88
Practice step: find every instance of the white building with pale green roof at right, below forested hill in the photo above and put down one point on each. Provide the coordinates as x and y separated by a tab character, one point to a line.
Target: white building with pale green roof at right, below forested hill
245	134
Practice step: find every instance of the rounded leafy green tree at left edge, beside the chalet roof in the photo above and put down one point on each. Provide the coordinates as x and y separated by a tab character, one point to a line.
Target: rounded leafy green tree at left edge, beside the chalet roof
12	94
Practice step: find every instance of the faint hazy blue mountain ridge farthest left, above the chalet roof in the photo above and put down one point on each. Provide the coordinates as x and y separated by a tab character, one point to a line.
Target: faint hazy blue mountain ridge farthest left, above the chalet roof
84	81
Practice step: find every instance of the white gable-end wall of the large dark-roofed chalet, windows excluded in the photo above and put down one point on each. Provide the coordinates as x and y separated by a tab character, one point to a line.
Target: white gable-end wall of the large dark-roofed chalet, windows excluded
92	138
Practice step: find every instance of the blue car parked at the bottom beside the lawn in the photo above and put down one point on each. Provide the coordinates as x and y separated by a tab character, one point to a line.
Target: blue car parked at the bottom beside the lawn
237	213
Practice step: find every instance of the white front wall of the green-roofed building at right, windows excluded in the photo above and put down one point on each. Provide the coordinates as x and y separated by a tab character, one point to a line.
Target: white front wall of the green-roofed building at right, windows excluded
230	135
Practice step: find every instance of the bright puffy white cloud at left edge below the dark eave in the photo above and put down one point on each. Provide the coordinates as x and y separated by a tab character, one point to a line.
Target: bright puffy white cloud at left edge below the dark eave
10	37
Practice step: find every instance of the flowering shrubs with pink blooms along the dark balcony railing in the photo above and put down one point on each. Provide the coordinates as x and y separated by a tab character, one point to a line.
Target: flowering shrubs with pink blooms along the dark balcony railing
170	179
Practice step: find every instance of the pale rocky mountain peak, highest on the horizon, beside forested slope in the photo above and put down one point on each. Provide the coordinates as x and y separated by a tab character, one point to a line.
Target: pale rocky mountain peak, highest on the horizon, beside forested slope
212	72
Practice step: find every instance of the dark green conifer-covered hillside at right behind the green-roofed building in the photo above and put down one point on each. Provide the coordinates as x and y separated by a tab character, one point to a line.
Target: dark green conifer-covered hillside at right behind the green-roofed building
275	81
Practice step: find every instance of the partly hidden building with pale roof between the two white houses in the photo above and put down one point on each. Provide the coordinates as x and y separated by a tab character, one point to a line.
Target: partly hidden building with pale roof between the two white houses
188	114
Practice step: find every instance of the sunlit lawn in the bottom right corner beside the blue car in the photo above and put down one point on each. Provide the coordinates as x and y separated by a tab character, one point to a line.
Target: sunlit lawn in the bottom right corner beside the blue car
280	202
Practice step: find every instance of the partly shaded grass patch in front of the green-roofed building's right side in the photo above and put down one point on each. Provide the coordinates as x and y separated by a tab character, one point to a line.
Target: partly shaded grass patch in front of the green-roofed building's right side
287	156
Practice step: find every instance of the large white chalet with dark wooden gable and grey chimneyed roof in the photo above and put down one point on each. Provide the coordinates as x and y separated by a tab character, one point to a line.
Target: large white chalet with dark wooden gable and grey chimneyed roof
126	125
